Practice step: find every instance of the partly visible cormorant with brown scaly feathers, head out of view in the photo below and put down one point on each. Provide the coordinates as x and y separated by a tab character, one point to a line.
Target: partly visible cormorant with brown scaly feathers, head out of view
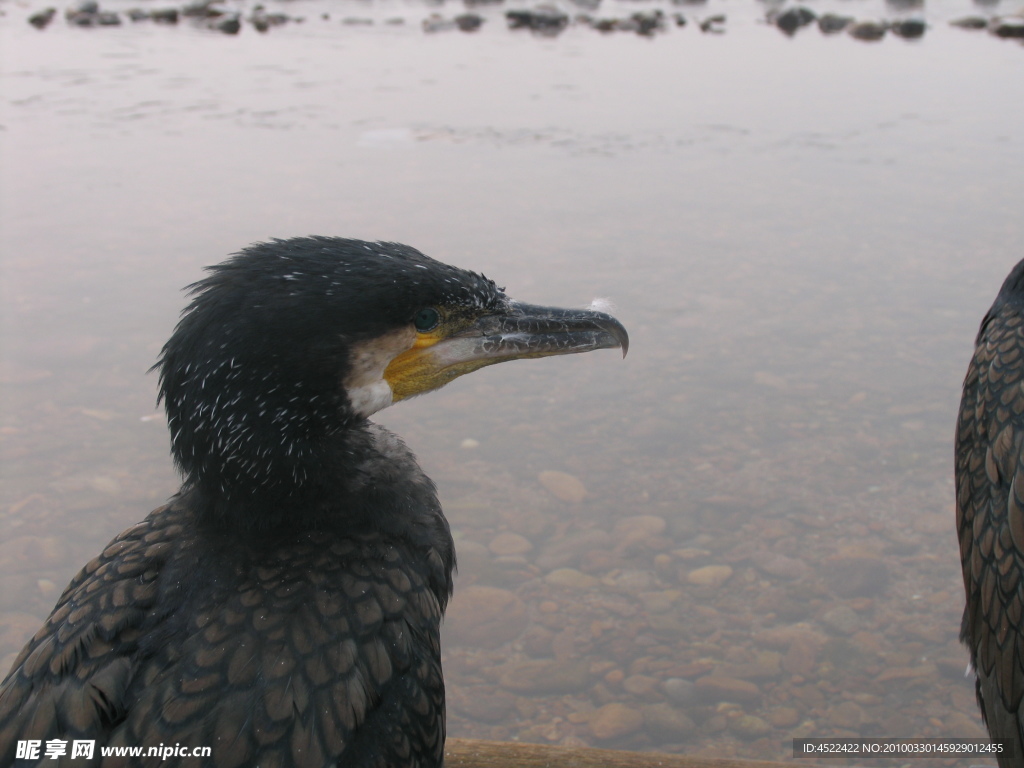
991	515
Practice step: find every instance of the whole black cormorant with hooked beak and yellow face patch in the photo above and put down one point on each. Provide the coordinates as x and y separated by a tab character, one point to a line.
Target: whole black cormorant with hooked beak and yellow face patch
284	608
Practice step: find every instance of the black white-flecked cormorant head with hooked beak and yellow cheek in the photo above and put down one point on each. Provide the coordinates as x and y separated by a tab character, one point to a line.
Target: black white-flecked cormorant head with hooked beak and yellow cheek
289	345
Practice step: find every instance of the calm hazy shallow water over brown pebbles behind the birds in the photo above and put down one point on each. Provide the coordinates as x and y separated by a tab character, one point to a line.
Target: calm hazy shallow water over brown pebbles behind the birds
801	235
